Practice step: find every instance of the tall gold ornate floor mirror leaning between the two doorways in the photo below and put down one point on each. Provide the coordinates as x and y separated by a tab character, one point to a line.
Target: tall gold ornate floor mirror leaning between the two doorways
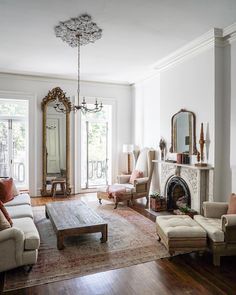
56	143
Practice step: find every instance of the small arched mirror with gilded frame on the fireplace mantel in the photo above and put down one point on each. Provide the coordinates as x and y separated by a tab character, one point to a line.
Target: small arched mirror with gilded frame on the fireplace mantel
183	133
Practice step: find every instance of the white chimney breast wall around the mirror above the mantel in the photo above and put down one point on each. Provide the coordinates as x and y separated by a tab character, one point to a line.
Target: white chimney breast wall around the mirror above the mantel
189	85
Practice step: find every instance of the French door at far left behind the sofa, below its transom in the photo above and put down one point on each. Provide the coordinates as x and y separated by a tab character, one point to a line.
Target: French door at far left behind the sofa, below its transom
13	150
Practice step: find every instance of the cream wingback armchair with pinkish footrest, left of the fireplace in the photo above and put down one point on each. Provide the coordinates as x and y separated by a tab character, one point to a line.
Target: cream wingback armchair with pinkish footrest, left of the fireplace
123	190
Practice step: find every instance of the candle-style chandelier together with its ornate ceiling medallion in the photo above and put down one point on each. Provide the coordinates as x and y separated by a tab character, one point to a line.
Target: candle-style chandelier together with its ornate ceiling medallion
77	32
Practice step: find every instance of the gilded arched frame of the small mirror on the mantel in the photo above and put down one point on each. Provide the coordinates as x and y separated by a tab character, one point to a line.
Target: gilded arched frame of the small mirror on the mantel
173	136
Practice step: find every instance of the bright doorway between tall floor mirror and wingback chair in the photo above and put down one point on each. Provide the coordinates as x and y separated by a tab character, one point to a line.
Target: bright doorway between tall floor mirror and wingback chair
96	130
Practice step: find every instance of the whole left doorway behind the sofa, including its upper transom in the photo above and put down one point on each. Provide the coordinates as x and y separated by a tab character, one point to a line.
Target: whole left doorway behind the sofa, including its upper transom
14	141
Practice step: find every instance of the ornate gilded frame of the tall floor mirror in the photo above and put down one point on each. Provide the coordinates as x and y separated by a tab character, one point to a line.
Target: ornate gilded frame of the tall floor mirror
53	95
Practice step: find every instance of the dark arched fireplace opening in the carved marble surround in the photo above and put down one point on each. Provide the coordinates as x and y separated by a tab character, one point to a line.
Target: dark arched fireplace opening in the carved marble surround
178	194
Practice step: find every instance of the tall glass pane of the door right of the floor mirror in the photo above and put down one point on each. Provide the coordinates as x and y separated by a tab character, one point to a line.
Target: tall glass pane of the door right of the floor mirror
96	154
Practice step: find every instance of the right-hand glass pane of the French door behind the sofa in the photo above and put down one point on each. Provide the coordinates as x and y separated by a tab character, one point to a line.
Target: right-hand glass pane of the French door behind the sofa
19	152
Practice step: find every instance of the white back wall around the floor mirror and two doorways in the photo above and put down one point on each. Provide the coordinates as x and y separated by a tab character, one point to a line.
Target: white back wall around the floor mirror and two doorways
118	95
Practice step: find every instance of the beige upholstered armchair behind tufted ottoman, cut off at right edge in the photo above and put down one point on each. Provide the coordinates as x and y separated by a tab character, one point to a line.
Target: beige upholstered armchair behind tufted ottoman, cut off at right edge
220	228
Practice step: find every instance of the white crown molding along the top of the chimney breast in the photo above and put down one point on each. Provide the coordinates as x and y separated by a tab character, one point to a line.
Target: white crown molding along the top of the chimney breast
198	45
